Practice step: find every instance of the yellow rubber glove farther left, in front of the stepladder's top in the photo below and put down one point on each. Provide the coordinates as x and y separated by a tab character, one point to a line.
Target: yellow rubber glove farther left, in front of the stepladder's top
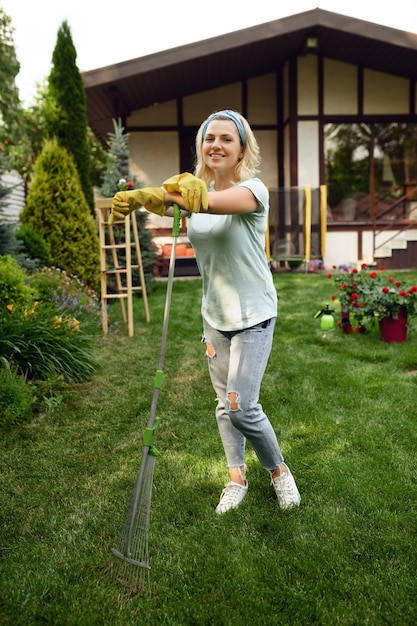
124	202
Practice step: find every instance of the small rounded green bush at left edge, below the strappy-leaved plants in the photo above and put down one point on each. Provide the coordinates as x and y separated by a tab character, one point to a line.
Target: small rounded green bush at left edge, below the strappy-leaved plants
15	398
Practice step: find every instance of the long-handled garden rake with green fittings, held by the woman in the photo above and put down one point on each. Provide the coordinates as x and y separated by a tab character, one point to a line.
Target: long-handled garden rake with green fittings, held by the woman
129	560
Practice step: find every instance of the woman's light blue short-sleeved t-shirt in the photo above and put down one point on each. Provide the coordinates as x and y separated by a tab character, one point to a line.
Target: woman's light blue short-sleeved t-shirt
238	290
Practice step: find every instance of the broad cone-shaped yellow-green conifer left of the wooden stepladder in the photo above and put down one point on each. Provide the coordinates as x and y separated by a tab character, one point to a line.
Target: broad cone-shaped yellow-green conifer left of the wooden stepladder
57	209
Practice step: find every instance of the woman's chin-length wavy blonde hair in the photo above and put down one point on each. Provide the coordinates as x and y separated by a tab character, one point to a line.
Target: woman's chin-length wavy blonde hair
246	168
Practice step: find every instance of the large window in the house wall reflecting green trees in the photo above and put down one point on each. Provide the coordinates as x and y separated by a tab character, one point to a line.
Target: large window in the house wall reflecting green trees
371	171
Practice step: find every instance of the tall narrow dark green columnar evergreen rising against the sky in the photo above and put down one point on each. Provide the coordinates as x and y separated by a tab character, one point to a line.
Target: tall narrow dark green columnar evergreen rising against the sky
66	115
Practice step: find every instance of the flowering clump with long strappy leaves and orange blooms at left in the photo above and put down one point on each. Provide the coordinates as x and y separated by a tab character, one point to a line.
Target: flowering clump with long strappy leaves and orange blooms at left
53	334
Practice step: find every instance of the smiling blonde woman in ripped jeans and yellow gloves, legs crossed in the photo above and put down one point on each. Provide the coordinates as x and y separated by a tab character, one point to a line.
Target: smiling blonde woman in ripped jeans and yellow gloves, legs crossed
227	229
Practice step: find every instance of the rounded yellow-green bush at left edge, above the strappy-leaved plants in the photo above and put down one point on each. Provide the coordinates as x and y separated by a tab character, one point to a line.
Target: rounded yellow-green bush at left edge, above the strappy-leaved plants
15	291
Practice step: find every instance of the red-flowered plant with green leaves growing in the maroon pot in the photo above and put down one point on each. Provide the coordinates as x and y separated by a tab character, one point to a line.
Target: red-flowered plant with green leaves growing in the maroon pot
370	294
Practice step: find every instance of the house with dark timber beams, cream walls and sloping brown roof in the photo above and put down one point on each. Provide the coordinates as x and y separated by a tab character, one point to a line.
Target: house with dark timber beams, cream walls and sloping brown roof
332	102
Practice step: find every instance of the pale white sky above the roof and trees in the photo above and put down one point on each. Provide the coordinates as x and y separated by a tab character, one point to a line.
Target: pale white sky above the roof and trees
105	33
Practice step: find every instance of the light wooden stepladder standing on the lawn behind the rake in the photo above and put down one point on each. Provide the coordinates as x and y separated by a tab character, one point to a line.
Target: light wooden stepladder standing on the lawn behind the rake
111	248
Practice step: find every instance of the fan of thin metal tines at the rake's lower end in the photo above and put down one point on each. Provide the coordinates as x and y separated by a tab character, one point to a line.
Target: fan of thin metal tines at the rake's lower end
130	556
